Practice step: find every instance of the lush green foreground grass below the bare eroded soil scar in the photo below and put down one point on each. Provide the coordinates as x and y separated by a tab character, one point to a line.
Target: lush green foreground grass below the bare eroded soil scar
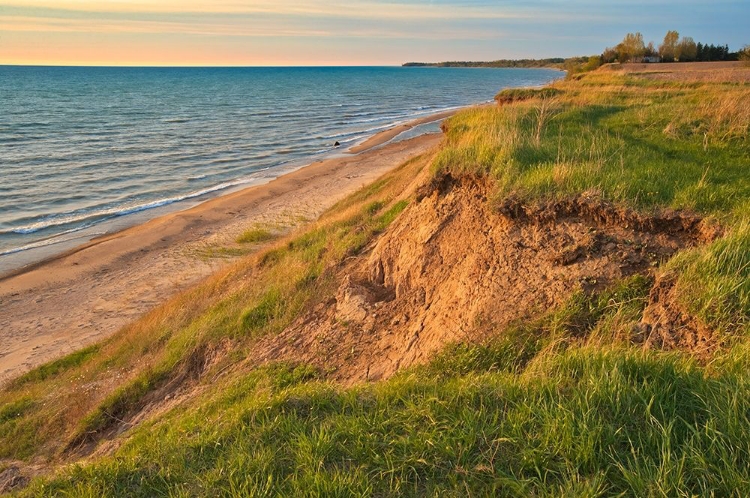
582	422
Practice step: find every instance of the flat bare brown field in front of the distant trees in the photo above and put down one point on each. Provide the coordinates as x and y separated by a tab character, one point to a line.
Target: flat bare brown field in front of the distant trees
728	72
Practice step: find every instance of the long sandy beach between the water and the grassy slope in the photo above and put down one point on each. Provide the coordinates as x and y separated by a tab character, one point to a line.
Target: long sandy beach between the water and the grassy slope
65	303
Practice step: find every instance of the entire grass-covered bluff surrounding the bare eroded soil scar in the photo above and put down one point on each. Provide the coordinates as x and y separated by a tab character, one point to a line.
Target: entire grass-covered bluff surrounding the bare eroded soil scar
563	403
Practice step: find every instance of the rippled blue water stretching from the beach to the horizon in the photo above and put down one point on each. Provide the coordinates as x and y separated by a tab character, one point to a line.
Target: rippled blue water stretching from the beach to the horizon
81	146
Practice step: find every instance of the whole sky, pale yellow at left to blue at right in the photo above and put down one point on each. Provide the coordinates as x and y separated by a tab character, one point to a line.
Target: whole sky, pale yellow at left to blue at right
346	32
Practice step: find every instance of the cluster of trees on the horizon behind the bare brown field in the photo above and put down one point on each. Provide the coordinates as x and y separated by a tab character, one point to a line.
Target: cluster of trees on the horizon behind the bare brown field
673	49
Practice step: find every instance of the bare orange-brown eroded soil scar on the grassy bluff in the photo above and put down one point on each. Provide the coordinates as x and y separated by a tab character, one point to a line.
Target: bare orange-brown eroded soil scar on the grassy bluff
451	264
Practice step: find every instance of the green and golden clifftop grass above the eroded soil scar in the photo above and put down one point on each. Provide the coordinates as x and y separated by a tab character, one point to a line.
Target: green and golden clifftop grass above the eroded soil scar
646	148
